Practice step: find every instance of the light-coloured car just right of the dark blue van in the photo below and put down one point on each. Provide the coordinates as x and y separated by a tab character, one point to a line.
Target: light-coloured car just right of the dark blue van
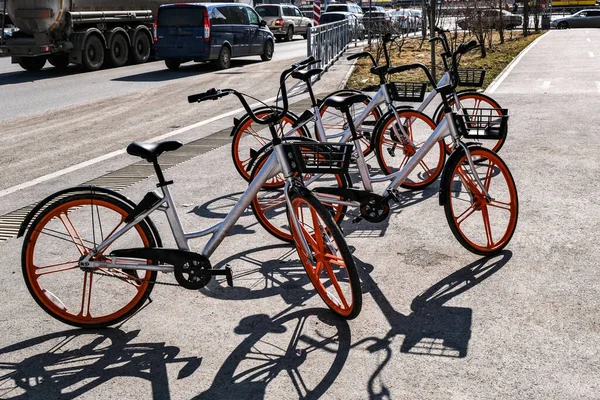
284	20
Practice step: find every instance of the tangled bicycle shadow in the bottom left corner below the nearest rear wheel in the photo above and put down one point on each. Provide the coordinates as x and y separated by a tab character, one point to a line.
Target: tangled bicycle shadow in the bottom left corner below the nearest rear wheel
71	363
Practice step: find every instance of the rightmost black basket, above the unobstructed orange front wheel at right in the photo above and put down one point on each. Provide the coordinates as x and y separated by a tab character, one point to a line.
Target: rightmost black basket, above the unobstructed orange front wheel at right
482	123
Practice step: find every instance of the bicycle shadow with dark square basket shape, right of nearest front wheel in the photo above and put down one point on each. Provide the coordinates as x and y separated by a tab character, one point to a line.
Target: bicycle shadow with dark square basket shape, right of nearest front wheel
432	328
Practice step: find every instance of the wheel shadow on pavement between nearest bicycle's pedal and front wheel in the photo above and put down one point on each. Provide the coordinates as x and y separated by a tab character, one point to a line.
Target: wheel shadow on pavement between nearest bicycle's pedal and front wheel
258	274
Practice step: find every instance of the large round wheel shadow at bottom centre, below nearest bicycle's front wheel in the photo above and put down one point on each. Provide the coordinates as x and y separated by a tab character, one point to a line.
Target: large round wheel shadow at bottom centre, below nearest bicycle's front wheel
299	354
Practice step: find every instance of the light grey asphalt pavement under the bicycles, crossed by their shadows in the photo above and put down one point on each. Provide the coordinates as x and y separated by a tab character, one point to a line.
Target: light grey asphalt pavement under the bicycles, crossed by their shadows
437	322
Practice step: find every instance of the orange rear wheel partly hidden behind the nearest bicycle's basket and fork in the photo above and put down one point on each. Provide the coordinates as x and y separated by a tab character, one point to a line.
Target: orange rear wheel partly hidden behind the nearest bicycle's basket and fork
272	199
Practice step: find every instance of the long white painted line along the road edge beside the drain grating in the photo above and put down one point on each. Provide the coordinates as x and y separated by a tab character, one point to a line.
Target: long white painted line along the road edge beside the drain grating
105	157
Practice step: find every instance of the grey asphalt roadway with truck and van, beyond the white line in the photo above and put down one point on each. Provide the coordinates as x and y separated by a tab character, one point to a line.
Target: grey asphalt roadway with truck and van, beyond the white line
53	120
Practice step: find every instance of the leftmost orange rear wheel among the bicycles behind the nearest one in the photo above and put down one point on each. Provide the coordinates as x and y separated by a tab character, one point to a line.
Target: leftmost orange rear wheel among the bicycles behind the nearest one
244	129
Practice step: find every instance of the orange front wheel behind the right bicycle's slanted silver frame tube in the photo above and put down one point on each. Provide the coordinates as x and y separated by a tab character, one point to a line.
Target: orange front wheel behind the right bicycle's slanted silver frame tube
419	128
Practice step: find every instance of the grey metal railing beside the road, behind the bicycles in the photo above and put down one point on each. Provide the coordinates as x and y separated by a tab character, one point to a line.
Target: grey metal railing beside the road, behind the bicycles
328	41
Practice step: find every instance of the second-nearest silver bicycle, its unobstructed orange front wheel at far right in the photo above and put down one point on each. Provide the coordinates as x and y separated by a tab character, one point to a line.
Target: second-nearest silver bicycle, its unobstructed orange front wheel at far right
462	171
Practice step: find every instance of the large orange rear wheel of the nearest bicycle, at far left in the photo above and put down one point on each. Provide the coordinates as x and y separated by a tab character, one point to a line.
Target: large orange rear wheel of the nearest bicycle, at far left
59	237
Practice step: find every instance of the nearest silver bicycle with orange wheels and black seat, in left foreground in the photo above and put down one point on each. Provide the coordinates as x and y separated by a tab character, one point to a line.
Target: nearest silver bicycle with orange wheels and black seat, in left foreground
85	244
